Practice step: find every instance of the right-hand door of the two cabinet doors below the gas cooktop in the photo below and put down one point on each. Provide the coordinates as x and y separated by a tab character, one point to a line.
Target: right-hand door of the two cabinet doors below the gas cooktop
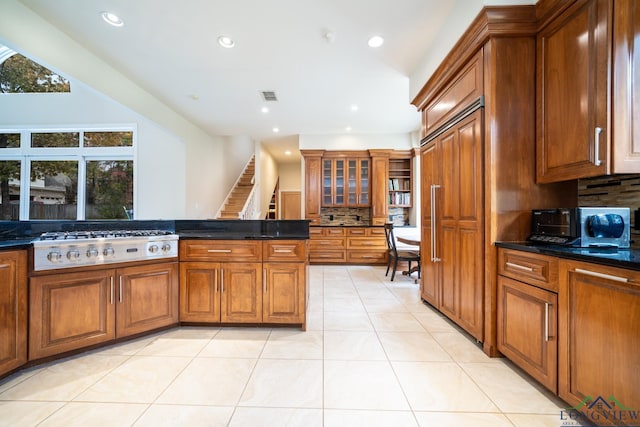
147	298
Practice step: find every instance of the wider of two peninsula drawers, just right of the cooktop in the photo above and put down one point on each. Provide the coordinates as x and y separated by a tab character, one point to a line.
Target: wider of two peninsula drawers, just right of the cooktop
221	250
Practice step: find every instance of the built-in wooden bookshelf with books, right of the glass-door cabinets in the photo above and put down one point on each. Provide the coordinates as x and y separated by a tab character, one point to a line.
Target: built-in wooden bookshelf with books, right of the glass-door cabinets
400	188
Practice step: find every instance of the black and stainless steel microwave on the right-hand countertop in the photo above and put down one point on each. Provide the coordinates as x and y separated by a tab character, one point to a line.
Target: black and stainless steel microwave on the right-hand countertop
581	227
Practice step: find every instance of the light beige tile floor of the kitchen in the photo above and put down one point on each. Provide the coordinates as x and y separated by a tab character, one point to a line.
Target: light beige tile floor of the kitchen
372	355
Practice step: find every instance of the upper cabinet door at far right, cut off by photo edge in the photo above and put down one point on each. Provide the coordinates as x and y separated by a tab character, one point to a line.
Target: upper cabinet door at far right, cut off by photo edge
626	87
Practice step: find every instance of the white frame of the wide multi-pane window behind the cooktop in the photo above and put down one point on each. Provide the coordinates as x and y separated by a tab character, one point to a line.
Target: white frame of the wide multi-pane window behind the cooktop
27	154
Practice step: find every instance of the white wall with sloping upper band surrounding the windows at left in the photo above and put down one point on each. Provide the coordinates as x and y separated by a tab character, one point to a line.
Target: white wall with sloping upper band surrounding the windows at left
182	172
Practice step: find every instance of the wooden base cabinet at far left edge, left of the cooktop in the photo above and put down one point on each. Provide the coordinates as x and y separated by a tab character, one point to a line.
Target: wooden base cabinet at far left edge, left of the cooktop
13	316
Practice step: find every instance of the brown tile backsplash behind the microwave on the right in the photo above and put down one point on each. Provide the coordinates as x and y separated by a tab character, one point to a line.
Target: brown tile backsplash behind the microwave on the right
615	191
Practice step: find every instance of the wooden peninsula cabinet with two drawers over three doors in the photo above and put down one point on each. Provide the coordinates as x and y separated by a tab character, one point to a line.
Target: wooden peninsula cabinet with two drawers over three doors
268	286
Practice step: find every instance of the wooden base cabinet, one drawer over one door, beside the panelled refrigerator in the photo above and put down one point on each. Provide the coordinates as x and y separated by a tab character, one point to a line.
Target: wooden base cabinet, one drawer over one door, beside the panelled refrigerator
527	313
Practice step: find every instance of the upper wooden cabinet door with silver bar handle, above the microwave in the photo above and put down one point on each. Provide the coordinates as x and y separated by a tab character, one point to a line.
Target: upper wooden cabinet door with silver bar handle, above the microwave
572	85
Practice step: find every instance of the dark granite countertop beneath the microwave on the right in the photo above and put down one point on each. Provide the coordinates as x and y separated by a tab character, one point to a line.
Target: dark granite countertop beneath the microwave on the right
622	258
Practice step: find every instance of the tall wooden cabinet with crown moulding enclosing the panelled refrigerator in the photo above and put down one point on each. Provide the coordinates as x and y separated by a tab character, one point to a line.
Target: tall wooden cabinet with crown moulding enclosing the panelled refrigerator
492	65
